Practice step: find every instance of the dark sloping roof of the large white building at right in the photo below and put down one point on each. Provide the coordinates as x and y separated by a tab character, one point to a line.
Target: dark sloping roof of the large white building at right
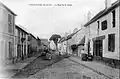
103	12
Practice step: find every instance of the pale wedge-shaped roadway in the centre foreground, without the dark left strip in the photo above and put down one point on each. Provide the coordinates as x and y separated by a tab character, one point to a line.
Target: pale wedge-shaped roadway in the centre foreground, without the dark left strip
66	69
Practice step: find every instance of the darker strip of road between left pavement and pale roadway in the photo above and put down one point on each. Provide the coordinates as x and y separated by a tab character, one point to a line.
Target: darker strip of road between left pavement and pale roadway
35	66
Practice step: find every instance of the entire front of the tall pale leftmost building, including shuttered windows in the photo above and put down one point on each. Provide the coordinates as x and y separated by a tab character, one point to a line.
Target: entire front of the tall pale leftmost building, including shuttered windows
7	38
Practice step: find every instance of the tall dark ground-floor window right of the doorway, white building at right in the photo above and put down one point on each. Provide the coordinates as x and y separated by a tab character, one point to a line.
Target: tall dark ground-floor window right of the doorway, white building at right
111	42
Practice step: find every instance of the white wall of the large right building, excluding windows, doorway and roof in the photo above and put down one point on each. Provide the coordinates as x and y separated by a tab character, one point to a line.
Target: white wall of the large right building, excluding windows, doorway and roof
109	30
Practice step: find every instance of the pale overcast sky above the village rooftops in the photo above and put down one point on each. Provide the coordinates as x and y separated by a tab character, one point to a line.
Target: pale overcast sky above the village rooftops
43	21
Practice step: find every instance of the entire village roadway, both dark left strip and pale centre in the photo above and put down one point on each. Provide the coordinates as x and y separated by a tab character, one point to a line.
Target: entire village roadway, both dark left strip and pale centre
59	68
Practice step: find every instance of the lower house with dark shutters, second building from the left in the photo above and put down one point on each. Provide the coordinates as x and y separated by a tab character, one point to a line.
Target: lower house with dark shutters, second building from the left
21	43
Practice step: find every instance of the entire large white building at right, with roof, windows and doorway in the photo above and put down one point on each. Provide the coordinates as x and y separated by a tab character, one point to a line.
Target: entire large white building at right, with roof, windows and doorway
103	34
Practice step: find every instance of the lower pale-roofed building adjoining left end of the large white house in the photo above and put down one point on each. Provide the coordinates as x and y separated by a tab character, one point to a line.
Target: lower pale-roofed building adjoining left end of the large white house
76	38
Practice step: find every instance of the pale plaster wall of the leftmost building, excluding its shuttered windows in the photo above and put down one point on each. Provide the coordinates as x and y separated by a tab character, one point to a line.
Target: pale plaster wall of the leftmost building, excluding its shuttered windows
4	34
